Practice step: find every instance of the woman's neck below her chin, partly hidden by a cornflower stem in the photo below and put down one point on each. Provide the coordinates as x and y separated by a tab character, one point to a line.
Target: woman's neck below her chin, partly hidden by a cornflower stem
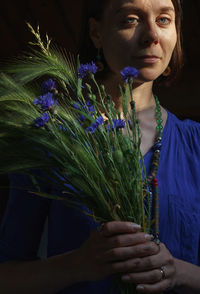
142	94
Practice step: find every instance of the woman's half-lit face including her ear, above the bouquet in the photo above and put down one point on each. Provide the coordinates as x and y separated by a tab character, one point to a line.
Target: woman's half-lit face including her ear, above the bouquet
139	33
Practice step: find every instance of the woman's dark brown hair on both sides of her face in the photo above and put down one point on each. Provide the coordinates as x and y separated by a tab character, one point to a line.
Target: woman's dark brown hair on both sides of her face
95	8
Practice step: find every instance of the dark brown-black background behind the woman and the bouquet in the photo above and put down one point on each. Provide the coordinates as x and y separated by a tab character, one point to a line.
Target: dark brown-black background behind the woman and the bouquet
62	20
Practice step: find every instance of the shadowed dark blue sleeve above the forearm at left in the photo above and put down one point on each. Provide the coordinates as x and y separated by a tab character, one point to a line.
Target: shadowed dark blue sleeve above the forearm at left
23	221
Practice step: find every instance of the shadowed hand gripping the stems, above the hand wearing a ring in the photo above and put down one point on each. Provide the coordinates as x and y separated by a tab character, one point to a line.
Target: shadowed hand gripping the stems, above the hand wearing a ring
114	250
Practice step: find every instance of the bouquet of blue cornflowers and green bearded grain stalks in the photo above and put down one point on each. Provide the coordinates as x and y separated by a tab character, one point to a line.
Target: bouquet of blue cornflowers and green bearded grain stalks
78	140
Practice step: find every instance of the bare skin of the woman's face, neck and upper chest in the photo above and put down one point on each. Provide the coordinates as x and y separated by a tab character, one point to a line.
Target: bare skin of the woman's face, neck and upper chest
127	31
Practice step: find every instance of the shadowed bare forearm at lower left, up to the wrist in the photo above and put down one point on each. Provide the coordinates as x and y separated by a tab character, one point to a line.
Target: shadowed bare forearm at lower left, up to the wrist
41	276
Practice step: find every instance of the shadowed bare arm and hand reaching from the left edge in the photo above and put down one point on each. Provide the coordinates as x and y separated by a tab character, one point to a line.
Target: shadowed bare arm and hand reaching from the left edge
101	255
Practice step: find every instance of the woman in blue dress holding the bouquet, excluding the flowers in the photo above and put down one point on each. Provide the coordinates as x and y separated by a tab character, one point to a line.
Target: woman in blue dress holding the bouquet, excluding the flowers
144	34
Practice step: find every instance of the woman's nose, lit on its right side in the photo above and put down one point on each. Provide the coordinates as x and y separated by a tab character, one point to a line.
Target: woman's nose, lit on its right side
149	35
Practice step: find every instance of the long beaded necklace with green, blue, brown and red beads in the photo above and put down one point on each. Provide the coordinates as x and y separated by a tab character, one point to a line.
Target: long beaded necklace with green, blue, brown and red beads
151	179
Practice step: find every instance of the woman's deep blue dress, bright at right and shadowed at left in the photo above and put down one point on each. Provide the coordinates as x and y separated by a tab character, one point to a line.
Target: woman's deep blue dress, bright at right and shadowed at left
179	192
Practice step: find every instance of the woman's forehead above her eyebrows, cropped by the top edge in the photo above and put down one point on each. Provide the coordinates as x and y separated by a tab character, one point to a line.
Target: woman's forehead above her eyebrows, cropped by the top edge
116	5
